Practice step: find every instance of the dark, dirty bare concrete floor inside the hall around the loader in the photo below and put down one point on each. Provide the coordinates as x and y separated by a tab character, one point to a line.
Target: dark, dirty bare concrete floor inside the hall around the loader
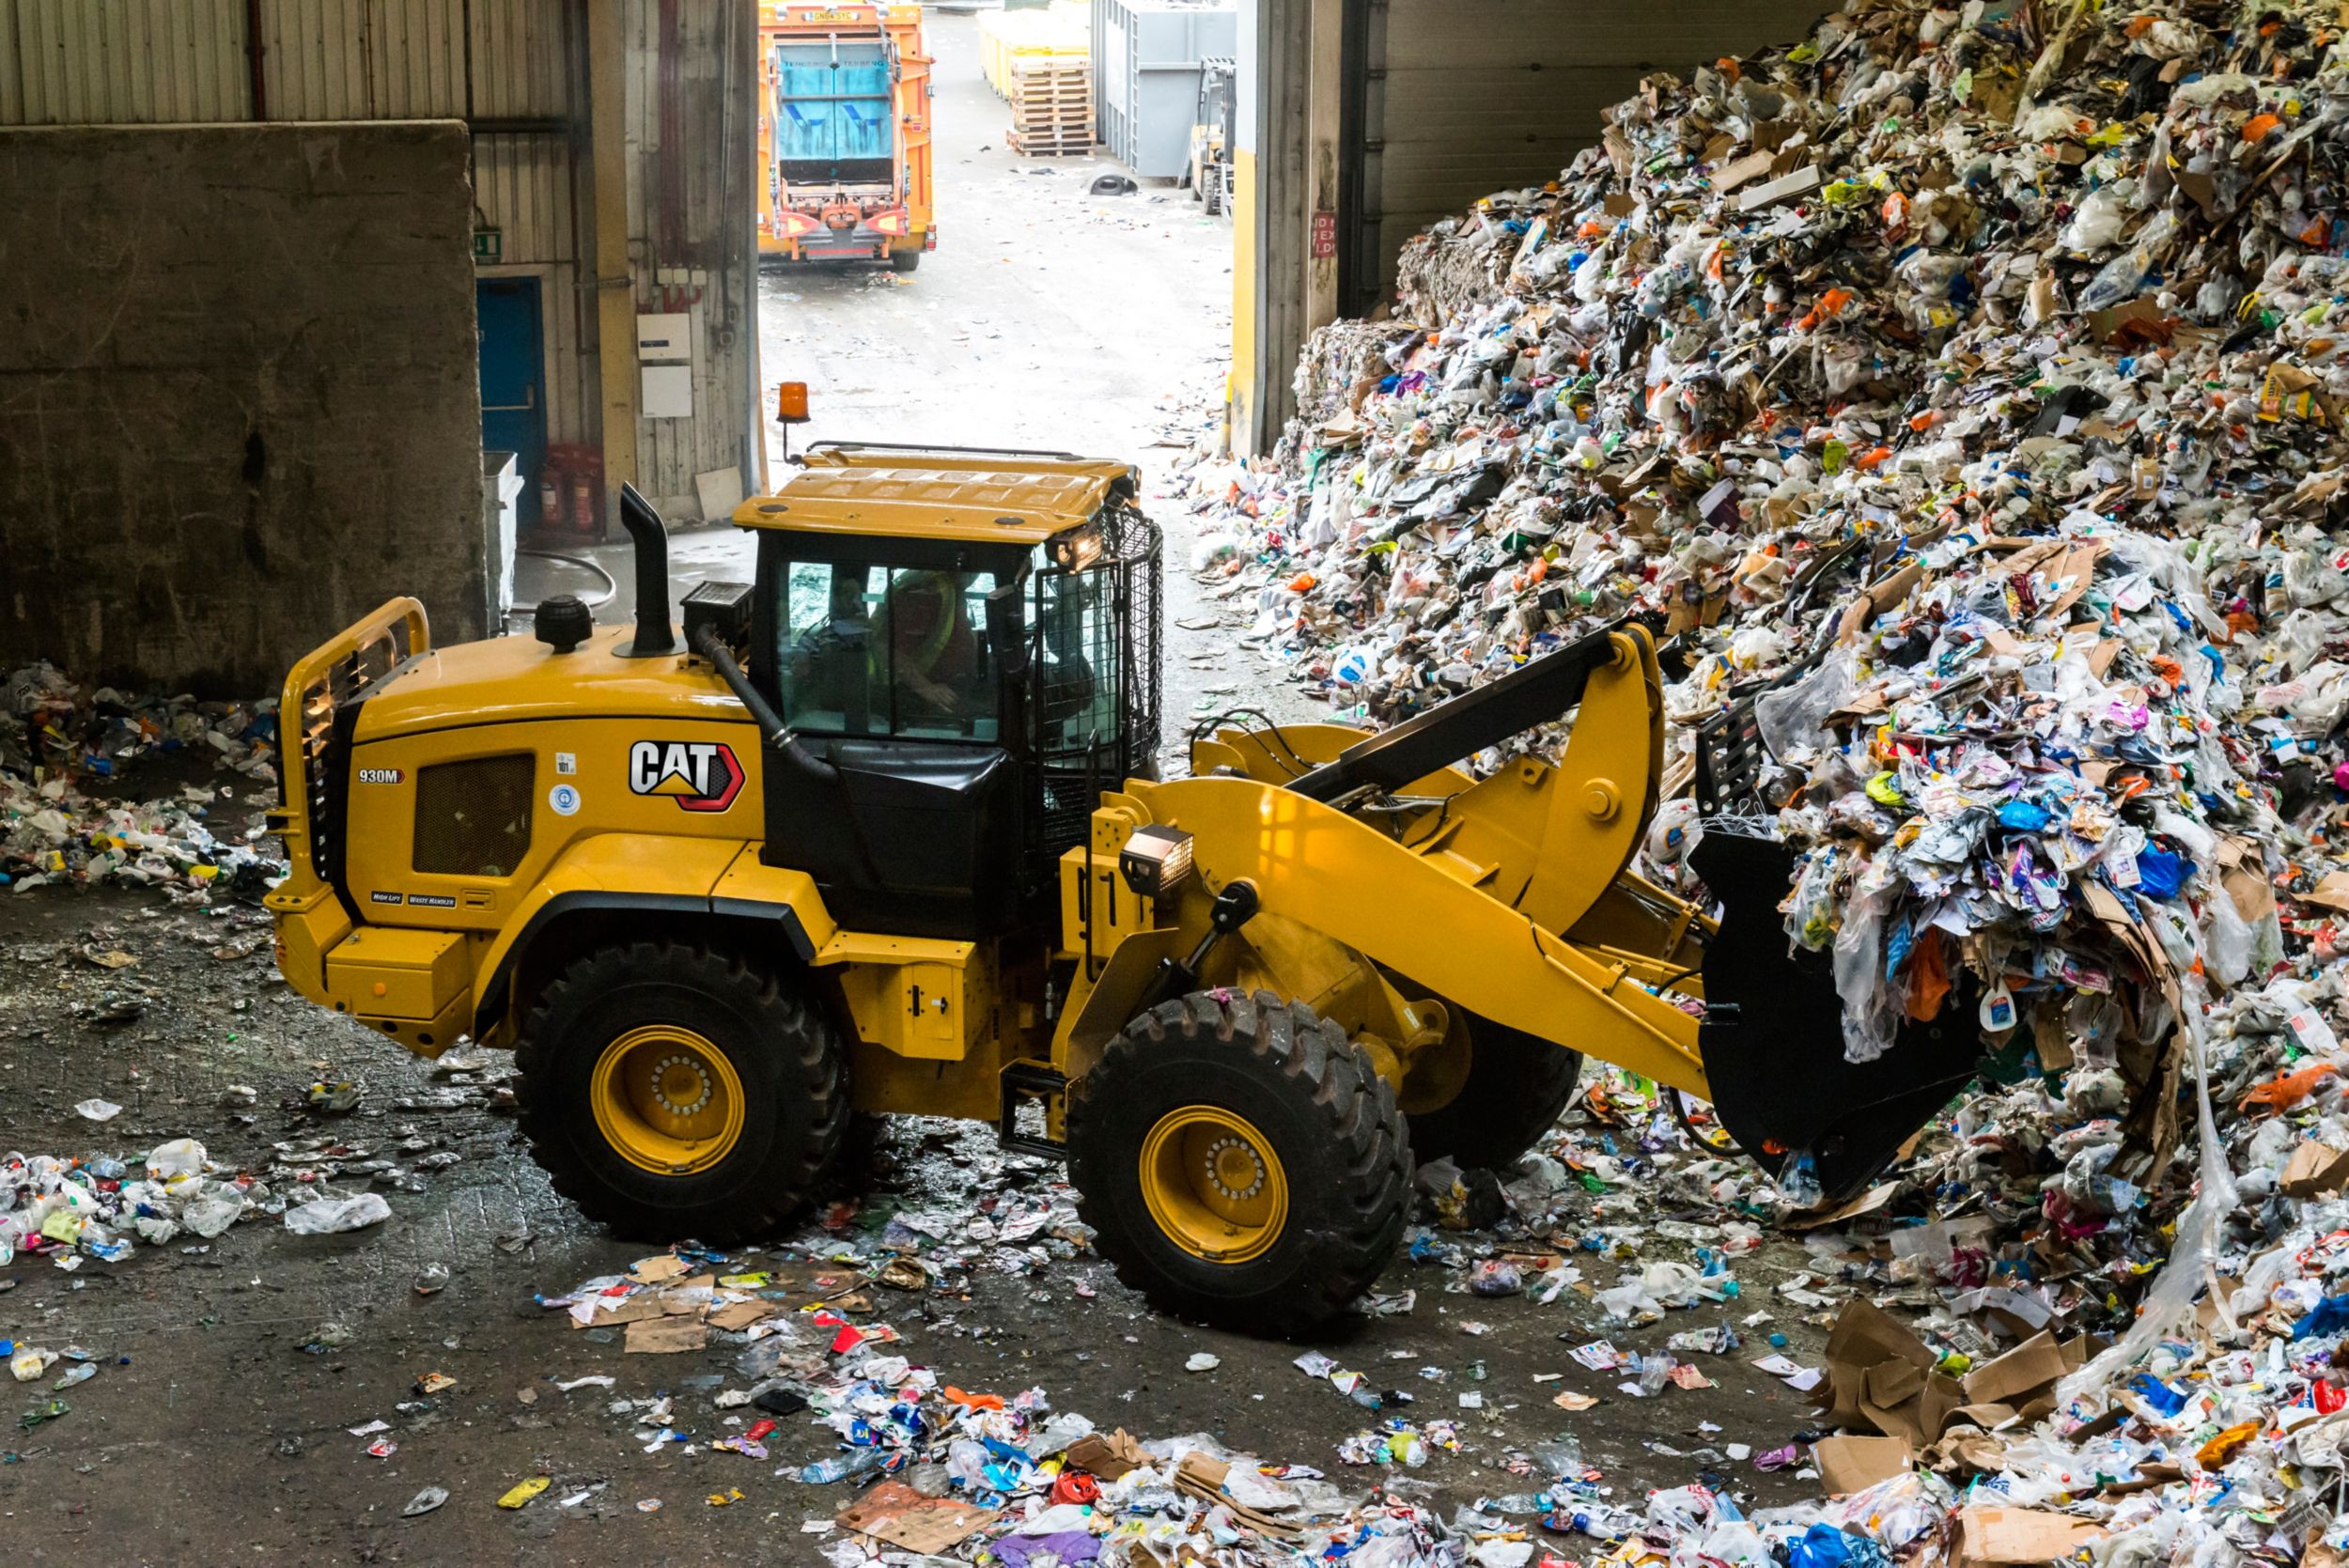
213	1435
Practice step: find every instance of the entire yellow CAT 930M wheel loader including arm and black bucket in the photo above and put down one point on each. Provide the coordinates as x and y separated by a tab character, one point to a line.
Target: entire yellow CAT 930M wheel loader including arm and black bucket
882	832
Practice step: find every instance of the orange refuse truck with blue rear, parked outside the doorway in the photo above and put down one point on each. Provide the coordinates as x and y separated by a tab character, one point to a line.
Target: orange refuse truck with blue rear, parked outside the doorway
844	135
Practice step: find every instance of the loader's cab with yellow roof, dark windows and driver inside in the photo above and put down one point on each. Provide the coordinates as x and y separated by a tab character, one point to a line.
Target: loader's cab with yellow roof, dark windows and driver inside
964	651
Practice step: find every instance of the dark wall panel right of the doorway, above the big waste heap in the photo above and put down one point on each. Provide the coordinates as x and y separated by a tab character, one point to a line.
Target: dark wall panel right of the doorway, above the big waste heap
1469	97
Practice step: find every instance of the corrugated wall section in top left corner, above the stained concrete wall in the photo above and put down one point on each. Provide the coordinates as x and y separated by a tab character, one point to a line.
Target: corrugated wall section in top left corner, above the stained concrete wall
123	62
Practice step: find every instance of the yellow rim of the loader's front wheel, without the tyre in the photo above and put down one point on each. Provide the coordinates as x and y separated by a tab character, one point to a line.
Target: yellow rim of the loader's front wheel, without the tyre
1213	1184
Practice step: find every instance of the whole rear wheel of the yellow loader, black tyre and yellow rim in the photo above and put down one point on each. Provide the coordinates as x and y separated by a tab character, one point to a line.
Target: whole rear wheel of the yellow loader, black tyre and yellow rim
675	1093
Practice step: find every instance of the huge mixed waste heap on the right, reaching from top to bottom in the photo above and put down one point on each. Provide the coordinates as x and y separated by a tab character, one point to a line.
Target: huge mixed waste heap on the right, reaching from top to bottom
1963	391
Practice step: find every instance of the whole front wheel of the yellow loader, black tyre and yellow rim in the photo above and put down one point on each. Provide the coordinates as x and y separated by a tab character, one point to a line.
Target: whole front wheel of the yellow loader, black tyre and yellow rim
1241	1161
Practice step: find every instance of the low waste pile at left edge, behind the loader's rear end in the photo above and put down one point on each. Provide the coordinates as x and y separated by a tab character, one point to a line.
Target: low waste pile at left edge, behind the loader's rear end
60	745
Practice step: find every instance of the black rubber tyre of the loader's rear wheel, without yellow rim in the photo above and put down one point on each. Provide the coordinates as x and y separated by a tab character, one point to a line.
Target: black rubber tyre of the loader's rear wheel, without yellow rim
781	1048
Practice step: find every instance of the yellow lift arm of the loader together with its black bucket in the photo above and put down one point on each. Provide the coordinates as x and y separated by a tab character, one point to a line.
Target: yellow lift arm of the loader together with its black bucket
1514	898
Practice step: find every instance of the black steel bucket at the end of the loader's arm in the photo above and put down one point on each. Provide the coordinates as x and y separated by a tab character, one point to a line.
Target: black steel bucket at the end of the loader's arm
1775	1034
